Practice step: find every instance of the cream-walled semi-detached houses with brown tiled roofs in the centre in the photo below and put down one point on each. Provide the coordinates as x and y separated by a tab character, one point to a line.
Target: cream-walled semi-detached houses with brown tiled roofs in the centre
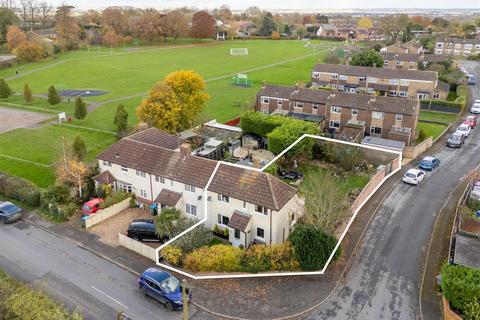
160	169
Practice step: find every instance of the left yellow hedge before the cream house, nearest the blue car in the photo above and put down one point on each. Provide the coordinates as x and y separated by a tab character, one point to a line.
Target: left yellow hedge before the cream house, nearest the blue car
219	258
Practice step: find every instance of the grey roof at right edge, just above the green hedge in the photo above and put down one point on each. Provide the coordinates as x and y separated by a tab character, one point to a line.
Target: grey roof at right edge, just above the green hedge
467	251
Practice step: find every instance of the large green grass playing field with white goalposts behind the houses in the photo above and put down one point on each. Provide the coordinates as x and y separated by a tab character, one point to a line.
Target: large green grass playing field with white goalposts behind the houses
127	75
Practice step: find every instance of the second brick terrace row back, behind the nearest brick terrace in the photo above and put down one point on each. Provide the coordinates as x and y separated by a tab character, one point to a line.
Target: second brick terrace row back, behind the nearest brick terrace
413	84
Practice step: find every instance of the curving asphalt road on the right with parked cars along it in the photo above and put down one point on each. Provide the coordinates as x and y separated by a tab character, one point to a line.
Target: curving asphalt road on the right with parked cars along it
384	279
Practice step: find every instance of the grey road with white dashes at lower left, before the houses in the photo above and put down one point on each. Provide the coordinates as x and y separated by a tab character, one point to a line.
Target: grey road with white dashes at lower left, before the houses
73	275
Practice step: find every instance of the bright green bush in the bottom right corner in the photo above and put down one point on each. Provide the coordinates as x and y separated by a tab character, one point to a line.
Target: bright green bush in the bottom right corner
460	285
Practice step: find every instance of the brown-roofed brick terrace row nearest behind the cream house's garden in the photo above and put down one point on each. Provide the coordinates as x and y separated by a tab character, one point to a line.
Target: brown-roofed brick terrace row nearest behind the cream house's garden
378	116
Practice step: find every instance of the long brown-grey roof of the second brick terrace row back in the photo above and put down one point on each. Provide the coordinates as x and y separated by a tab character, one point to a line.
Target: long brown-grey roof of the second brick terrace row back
382	73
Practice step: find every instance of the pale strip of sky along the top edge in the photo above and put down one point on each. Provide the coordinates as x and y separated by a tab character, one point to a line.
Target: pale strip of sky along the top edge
278	4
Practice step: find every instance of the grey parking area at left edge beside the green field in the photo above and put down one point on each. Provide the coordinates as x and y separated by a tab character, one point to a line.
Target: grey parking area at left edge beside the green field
11	119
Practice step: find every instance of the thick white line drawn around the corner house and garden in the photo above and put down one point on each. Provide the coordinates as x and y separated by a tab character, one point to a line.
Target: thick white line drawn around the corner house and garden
278	274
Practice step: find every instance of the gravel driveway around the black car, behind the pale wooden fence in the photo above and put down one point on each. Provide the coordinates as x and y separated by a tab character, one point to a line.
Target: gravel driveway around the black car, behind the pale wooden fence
109	229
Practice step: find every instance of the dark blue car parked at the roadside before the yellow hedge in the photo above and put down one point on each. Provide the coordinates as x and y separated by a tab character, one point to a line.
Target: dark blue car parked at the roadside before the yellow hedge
163	287
